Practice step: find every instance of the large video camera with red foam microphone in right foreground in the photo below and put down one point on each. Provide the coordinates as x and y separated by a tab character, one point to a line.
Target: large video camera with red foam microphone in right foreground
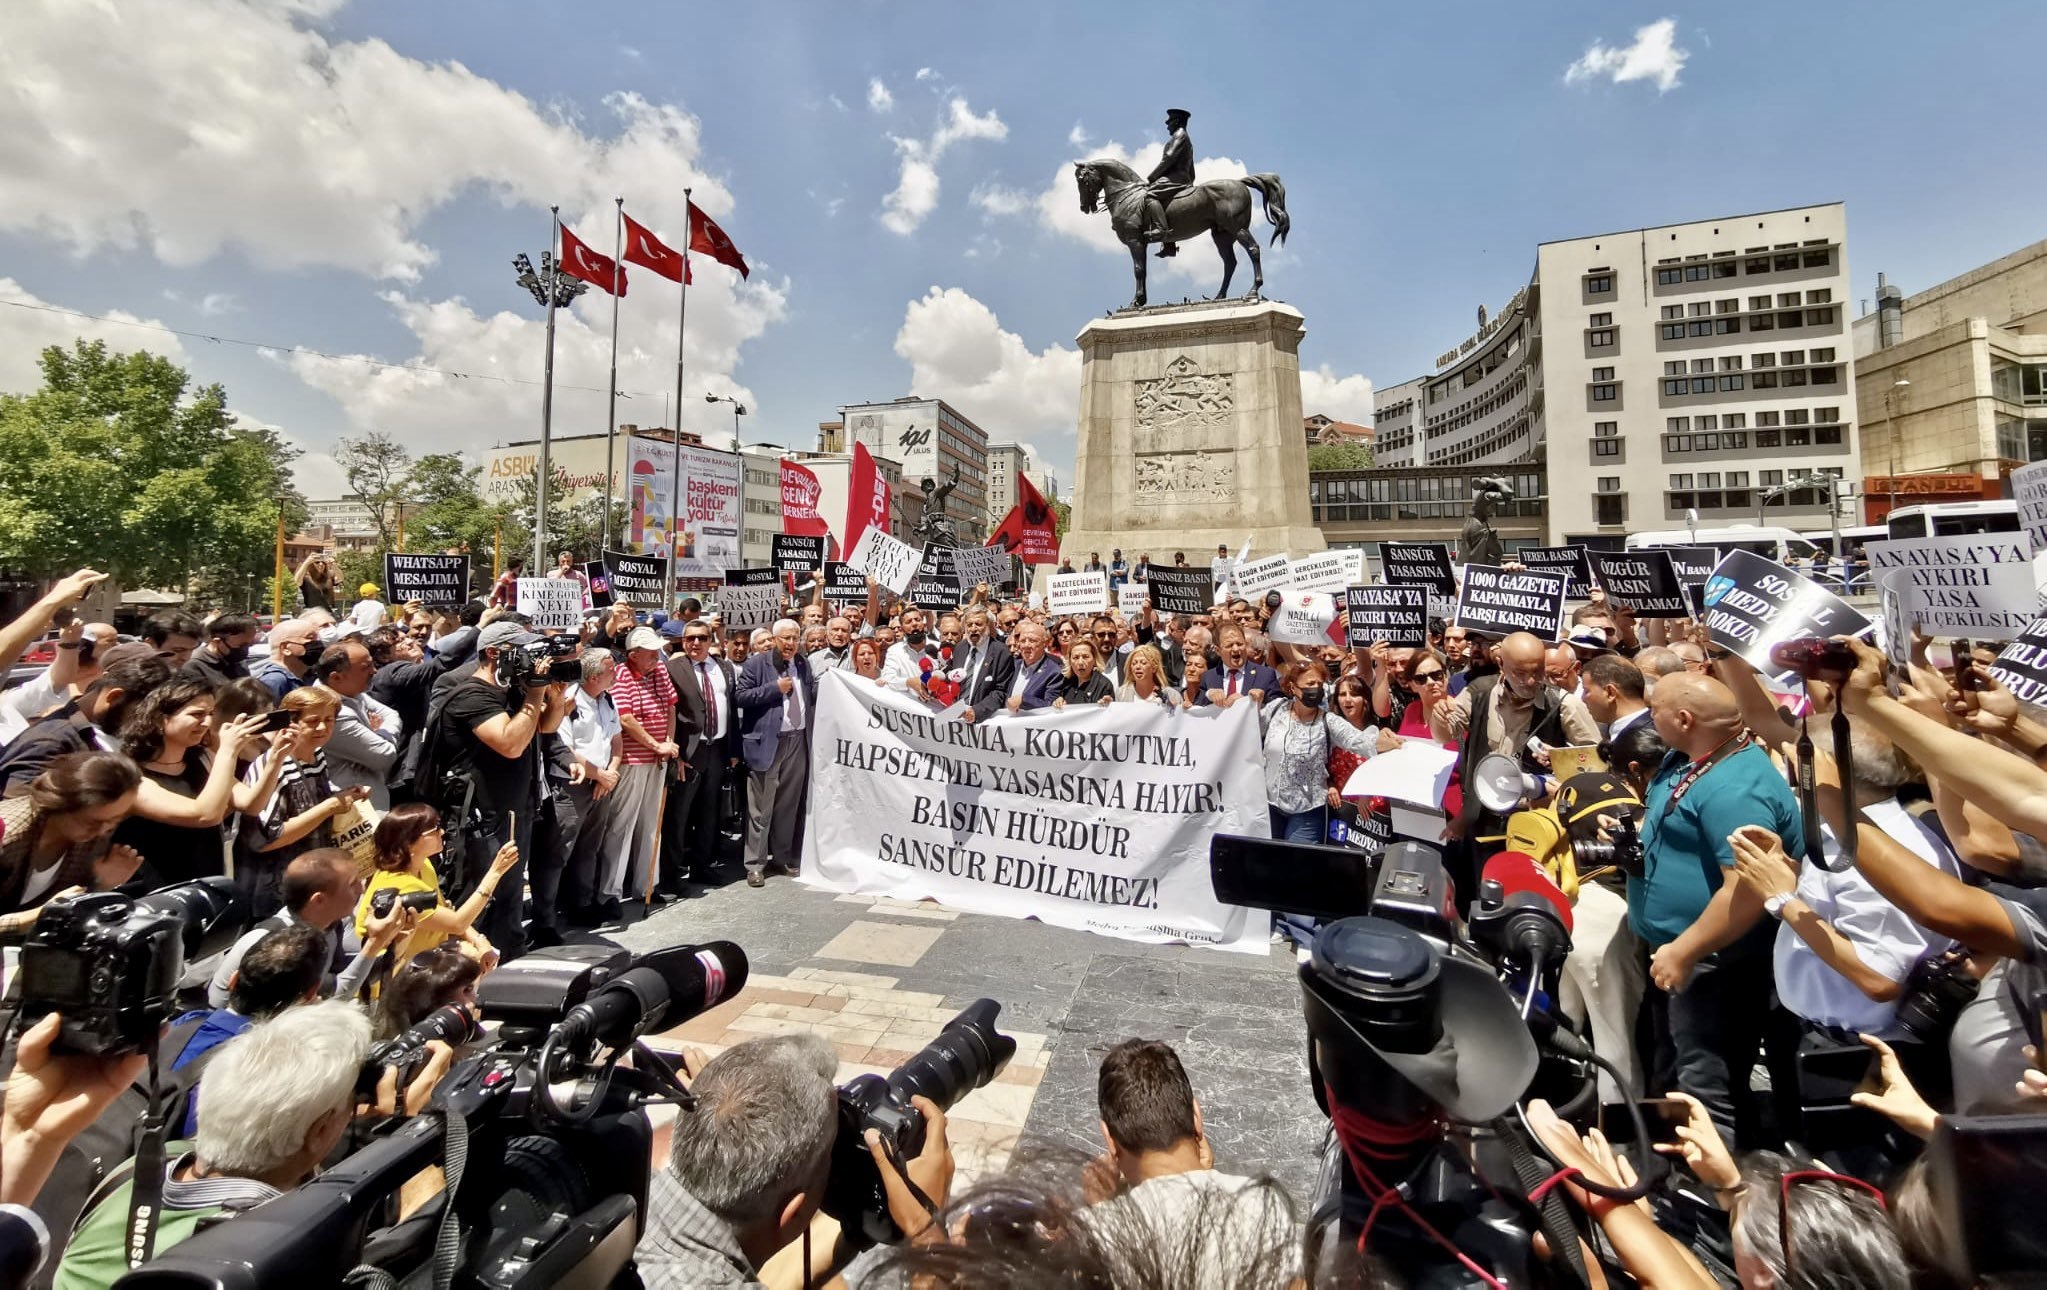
1424	1037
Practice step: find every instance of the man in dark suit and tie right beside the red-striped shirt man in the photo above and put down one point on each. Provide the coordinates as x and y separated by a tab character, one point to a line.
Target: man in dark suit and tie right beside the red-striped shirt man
707	695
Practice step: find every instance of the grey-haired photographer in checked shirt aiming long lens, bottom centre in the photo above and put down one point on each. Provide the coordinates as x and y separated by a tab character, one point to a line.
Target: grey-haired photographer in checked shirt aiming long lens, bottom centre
748	1170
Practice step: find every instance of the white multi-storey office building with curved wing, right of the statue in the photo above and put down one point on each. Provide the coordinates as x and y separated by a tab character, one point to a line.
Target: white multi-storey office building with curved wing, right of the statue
1655	378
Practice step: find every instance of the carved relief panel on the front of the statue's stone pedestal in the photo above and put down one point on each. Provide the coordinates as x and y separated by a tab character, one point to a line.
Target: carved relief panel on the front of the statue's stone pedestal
1184	437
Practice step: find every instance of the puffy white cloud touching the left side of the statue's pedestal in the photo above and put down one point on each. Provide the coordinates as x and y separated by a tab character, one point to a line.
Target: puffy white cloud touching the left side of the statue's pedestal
959	351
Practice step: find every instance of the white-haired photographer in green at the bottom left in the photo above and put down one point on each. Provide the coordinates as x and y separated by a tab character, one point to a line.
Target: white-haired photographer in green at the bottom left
273	1107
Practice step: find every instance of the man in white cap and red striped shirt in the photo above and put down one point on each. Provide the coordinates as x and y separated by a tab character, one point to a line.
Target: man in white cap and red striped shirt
646	699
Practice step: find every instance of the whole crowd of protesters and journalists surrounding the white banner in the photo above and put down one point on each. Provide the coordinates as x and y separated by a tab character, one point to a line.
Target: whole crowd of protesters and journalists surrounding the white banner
410	795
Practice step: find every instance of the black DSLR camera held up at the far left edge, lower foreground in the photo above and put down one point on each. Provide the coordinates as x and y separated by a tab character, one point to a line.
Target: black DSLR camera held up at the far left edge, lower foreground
112	963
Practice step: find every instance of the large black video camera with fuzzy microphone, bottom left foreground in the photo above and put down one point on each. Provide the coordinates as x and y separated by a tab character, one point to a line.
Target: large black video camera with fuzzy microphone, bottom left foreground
543	1142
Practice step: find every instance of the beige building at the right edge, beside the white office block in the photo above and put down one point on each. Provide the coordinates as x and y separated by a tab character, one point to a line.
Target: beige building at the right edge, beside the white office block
1954	384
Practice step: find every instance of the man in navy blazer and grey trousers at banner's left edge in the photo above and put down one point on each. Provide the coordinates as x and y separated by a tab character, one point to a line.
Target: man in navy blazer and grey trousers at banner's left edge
777	701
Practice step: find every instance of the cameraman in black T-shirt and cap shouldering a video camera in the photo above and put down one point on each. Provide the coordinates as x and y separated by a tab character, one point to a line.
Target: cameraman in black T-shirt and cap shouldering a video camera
490	744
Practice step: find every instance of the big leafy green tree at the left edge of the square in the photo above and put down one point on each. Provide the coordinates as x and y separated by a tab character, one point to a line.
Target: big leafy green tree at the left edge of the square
118	464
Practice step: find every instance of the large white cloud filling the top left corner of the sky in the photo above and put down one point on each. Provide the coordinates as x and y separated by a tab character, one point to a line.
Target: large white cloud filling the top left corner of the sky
247	128
